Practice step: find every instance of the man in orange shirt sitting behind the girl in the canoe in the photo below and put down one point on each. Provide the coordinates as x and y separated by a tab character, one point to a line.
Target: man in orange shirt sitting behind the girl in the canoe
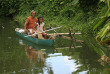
31	23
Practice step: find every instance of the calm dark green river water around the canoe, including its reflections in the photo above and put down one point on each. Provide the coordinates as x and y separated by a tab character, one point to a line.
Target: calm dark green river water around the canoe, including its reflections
18	56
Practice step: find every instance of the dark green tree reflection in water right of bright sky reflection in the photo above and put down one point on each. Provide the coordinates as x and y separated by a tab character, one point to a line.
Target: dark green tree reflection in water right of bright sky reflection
88	58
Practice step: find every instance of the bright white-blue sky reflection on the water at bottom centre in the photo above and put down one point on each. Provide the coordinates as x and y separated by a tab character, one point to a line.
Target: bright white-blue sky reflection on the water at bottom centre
61	64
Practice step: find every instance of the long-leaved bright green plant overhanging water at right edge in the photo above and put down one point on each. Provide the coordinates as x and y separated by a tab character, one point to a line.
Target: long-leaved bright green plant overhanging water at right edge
104	23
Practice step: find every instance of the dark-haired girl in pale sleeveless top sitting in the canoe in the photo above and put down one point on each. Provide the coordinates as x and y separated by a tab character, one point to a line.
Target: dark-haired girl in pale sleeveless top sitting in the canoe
40	27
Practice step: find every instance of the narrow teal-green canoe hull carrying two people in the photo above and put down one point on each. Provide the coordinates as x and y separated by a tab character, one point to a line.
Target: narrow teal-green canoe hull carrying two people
44	42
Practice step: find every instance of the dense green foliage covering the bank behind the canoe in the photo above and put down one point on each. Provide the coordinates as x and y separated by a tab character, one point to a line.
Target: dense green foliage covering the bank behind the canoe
68	13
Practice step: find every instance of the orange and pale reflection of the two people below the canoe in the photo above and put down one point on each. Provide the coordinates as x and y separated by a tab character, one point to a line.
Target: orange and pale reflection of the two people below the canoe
35	55
